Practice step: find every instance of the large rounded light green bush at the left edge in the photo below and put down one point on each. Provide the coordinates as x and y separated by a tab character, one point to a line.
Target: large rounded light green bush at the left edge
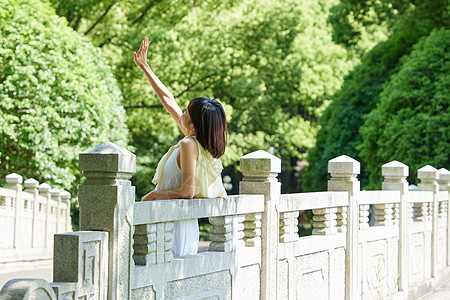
58	95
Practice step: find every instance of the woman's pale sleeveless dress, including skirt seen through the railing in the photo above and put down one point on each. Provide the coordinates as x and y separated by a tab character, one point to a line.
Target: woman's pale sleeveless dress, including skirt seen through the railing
208	184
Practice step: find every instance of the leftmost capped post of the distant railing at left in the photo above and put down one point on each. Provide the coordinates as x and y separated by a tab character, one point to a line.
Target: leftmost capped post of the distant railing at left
14	182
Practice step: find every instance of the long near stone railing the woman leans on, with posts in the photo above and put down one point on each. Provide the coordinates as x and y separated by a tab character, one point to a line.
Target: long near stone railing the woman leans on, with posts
255	252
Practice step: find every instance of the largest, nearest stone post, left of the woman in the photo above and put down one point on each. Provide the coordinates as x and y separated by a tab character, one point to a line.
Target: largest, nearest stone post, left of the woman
106	204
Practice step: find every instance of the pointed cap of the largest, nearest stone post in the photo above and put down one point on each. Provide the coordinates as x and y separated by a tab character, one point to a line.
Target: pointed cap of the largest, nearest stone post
107	157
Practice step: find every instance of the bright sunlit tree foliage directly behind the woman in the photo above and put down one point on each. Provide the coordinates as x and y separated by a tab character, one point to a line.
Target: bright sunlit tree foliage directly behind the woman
271	63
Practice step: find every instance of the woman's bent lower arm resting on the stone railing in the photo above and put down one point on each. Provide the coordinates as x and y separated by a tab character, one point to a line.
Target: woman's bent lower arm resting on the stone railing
188	164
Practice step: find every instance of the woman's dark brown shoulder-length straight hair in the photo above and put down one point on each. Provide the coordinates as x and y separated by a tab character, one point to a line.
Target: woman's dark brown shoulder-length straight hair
210	124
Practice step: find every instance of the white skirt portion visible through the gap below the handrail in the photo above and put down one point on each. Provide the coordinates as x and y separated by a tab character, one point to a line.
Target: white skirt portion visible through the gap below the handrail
185	237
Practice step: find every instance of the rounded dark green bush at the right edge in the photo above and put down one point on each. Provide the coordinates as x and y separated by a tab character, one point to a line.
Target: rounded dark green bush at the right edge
411	123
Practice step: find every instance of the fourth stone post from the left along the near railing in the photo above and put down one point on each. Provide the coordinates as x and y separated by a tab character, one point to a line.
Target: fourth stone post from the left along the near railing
395	174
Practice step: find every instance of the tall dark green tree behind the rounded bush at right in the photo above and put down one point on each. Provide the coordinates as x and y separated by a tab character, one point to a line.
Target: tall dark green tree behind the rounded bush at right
340	123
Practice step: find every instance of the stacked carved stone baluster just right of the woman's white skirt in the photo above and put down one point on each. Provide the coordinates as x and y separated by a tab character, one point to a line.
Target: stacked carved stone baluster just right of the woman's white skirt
221	234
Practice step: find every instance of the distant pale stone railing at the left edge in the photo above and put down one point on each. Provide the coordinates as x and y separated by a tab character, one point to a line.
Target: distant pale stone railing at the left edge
28	220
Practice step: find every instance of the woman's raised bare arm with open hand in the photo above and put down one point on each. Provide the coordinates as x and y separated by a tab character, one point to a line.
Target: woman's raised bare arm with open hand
164	95
